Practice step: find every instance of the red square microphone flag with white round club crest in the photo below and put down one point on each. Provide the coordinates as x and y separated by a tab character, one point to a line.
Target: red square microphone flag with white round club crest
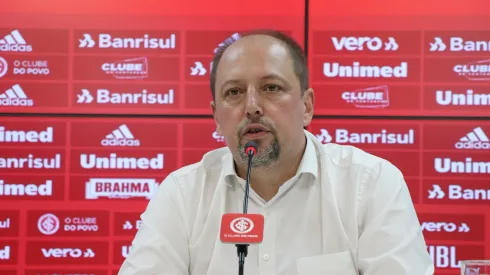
241	228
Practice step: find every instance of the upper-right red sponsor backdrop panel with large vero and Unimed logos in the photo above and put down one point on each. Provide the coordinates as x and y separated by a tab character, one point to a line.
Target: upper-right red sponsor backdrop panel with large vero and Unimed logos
405	58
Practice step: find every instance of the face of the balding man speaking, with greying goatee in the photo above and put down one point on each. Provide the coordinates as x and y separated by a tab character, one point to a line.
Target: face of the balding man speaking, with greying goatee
258	97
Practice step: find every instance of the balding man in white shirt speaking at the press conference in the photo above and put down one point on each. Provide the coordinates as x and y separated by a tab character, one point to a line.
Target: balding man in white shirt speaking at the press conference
329	209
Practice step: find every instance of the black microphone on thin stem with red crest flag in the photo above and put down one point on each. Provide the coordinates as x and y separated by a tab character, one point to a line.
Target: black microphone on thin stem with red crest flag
243	229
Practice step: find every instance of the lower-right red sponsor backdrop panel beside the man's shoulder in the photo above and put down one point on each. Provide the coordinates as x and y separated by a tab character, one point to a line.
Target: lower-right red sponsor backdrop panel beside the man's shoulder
446	165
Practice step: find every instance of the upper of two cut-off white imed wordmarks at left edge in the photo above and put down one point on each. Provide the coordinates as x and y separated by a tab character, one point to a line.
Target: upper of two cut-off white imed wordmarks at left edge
18	136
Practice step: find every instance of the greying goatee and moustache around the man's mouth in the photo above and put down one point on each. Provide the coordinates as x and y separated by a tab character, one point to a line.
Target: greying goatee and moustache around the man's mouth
264	157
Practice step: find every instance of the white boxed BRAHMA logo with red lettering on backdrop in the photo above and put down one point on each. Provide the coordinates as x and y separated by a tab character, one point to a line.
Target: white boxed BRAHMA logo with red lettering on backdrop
120	188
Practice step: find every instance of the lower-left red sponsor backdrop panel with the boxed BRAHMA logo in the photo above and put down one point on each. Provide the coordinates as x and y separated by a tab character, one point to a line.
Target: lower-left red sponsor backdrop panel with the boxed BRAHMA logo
93	177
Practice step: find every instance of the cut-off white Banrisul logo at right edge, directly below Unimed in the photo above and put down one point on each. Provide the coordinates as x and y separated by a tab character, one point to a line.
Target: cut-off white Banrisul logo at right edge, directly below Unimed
456	192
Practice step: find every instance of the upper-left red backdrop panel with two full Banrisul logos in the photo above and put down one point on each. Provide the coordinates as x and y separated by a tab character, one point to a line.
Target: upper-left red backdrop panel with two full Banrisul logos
121	61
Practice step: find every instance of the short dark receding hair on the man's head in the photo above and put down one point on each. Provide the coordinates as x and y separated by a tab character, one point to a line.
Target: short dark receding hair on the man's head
299	59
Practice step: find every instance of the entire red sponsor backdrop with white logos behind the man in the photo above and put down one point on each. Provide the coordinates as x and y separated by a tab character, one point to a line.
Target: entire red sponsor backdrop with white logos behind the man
101	100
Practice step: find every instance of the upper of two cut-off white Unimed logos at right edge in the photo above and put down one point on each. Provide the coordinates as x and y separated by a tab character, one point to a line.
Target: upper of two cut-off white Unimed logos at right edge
449	97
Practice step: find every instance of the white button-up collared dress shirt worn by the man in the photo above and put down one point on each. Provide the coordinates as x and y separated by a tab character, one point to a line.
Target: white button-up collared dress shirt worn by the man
345	212
